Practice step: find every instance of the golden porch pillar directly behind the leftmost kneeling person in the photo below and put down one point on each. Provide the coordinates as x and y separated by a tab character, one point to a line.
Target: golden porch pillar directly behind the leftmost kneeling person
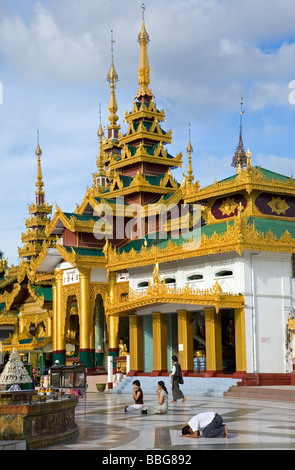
136	344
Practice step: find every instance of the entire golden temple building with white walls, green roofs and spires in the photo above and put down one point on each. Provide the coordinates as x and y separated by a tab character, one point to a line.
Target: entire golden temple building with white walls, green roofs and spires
161	266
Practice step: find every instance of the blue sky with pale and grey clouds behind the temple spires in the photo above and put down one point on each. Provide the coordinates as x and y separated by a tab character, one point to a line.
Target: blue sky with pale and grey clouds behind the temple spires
204	55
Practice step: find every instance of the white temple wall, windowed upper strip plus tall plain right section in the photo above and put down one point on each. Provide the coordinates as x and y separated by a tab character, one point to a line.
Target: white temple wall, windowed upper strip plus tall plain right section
265	281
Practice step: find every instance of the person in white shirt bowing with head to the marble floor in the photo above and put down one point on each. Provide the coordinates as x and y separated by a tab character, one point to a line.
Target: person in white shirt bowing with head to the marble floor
210	423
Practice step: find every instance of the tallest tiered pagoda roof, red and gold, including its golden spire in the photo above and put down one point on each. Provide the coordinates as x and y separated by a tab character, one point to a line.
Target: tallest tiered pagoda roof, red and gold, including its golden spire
142	172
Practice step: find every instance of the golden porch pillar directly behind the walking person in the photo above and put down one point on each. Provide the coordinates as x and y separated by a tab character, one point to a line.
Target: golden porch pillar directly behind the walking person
185	340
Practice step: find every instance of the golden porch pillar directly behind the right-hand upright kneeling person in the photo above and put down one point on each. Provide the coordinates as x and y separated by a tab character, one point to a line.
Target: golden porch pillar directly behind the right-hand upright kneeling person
159	343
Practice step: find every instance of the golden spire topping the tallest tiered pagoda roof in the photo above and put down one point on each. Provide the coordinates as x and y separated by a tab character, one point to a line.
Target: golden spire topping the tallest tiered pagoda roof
144	66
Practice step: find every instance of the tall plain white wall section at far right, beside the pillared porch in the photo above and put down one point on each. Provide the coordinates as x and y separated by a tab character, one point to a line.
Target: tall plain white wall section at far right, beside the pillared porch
268	300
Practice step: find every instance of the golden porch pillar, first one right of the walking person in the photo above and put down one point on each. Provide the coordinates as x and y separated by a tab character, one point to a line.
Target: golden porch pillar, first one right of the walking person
213	340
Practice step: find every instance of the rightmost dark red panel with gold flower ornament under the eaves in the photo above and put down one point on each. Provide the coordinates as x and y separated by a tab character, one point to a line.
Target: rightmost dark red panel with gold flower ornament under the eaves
277	205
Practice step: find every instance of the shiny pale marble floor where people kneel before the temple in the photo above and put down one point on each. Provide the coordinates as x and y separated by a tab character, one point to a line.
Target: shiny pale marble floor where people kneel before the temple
252	425
